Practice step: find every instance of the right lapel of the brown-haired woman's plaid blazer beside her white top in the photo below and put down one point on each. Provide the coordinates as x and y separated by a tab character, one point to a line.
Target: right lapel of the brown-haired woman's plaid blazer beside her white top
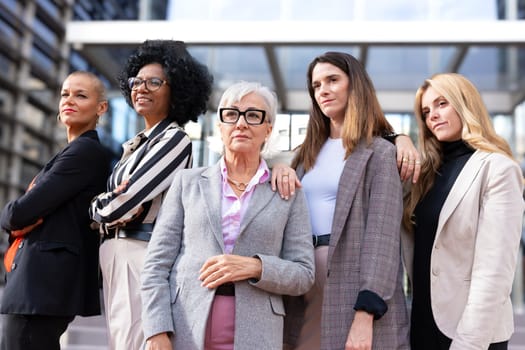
351	176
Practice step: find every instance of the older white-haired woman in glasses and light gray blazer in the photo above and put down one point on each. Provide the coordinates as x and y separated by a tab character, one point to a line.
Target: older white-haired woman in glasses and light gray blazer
226	247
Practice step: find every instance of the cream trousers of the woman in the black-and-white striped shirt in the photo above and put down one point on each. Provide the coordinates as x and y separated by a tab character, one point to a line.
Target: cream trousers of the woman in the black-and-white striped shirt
121	262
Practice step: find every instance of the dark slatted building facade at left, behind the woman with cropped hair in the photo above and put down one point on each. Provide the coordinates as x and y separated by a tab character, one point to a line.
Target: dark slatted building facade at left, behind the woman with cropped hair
34	59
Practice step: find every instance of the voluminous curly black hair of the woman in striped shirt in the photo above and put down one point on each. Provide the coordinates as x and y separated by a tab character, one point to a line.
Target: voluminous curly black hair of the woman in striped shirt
190	81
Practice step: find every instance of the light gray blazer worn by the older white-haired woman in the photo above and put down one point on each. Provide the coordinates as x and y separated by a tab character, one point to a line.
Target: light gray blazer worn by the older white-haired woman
188	232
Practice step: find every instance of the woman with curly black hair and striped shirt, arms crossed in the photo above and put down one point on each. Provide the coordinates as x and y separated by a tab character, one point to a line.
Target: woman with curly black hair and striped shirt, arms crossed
168	88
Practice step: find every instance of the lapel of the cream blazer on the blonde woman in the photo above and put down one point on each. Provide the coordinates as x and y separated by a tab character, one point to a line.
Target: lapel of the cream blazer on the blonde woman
460	187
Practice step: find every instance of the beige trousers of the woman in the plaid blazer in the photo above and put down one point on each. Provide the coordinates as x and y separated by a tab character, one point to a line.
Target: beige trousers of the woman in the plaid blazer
310	336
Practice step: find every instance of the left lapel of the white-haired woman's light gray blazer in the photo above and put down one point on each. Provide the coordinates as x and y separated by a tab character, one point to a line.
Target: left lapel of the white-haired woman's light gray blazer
210	186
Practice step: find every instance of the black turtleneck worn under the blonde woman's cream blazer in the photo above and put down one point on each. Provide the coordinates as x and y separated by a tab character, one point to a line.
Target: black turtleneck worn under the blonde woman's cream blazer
424	332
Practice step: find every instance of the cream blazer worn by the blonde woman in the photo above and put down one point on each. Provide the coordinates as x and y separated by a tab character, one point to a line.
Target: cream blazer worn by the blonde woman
475	252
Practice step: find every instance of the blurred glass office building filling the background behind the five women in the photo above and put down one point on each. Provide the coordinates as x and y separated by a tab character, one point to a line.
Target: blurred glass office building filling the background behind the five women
37	52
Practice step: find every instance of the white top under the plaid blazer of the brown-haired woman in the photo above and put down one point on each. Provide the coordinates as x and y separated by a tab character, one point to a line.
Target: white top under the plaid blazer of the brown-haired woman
320	185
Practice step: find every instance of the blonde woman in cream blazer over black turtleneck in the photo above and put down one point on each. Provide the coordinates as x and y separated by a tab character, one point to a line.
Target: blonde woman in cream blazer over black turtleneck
472	258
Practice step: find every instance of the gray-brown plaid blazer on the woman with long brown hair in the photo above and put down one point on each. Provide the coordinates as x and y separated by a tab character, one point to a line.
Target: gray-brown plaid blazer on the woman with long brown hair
364	251
